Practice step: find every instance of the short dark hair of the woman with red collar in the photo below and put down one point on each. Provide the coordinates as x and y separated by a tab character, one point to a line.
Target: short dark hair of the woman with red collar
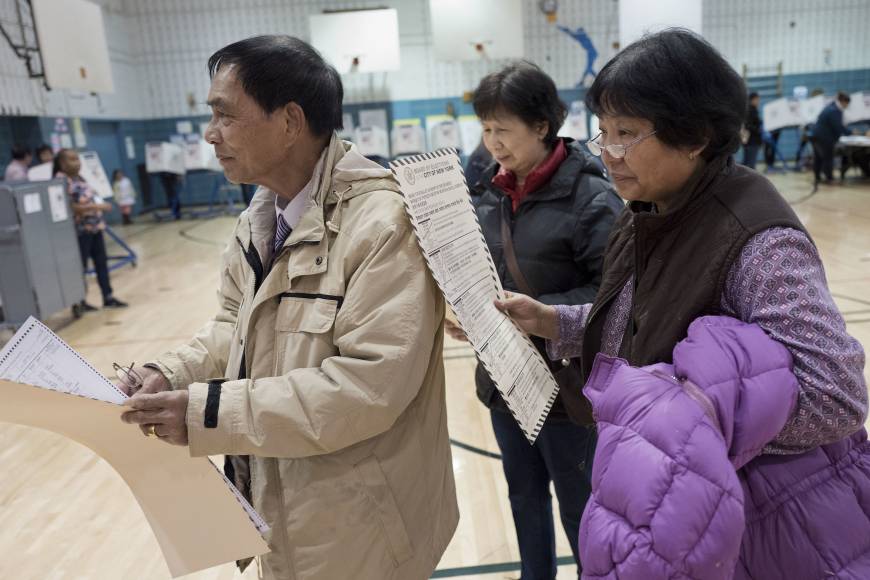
524	90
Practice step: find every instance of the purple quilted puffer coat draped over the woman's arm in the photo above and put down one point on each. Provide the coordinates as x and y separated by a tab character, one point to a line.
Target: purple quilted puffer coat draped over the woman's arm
678	488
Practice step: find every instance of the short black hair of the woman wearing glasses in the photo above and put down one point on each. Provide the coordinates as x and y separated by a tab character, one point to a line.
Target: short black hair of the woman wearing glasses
679	82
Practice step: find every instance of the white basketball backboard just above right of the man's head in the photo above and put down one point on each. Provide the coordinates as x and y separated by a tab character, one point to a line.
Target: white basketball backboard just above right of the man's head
358	40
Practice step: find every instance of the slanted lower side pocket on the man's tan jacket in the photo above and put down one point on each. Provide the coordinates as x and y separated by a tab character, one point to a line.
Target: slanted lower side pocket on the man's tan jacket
387	510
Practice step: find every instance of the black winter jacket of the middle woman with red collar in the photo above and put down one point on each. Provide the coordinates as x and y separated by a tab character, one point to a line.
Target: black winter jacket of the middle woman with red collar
559	232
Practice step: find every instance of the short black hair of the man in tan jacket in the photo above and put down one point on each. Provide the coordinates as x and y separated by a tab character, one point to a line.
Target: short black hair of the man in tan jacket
277	69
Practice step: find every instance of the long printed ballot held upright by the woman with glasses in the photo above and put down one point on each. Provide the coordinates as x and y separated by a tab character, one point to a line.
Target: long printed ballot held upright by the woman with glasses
437	201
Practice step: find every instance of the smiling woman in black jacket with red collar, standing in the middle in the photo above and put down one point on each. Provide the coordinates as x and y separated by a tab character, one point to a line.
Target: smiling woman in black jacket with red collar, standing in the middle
550	202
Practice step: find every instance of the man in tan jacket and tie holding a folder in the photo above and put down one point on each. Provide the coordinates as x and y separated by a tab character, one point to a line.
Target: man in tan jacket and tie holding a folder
328	336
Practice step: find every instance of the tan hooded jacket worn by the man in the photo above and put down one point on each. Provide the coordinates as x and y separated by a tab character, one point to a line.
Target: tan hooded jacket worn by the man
344	412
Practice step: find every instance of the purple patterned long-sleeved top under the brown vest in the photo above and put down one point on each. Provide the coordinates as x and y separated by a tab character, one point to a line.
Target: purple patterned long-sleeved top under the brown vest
778	282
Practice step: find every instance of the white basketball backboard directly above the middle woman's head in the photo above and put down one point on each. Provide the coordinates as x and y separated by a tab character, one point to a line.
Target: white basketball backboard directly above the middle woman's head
482	29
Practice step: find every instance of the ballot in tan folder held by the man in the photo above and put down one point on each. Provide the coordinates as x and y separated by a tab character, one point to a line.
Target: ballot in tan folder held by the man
198	517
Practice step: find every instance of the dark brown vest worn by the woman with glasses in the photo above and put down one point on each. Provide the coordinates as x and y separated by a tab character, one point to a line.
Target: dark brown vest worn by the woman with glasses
681	259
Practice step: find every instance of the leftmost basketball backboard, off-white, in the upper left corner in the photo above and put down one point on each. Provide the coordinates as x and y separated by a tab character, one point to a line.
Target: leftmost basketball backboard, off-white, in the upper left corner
72	41
